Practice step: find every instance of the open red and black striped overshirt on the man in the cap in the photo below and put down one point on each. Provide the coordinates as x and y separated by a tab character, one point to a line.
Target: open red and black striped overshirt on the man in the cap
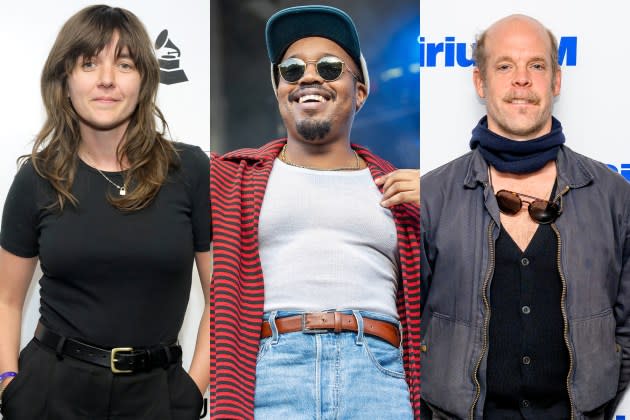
237	185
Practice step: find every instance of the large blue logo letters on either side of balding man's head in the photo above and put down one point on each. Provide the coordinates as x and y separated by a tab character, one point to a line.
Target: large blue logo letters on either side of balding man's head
453	53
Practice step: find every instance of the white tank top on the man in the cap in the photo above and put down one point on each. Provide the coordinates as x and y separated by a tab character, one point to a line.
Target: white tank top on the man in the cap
326	242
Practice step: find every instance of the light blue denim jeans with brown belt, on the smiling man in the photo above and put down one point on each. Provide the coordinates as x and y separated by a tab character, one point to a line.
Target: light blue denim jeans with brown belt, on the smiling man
330	375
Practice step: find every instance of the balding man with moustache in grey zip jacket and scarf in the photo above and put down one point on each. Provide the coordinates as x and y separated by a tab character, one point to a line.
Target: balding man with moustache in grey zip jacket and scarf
525	254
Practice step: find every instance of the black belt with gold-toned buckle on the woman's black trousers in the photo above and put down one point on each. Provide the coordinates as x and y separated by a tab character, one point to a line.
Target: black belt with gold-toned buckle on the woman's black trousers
118	359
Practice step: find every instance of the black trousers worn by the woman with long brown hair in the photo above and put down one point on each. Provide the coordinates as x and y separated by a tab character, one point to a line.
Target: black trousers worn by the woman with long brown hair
47	387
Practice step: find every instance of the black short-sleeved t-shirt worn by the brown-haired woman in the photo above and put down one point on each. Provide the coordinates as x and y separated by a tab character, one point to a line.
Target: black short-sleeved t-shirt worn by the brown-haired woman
112	278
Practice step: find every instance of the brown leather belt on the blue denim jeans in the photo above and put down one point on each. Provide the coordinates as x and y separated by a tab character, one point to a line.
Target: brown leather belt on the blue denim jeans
322	322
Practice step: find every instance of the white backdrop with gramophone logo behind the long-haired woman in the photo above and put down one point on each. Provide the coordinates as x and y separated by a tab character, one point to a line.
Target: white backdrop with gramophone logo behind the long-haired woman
28	31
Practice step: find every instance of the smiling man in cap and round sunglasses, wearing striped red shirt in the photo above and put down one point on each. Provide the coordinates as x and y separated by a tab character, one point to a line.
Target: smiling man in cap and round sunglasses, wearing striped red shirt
331	330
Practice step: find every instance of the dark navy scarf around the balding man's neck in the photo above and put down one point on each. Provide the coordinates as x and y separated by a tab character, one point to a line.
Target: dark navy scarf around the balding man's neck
518	157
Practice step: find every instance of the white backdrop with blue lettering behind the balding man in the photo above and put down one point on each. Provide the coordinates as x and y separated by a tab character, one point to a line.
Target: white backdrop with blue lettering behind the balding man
592	105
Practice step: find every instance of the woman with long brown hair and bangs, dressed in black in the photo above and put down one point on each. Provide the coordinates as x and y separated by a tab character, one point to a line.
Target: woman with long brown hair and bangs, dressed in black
116	214
